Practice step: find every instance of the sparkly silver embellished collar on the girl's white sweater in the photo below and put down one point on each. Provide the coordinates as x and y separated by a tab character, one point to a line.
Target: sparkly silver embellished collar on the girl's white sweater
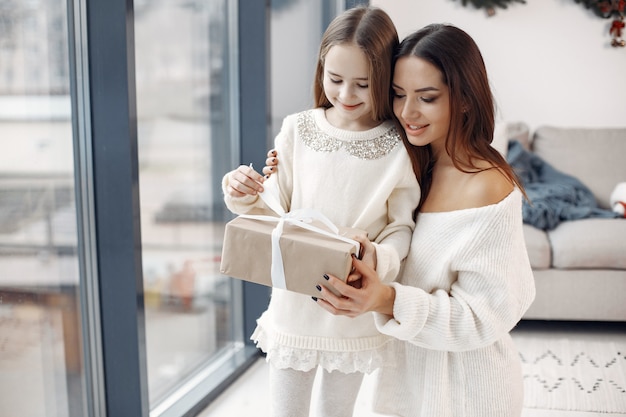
320	141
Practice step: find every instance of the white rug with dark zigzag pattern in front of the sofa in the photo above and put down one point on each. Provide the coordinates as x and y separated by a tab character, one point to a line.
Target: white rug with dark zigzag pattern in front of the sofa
573	375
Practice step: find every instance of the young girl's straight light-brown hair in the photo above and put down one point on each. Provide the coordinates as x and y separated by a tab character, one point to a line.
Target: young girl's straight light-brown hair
372	30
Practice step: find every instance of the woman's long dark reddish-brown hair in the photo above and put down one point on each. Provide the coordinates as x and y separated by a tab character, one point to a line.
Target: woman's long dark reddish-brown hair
472	108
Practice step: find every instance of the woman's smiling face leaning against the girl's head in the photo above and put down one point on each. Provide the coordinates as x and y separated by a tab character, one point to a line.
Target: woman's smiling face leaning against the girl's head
421	101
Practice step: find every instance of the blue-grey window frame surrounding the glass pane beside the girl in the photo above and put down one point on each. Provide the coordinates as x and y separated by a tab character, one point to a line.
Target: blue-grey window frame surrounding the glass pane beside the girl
106	156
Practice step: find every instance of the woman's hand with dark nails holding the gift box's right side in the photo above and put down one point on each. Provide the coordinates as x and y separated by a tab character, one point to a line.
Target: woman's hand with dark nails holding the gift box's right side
373	295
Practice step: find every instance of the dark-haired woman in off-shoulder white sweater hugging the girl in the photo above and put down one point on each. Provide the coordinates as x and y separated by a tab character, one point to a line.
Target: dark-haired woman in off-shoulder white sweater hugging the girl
467	280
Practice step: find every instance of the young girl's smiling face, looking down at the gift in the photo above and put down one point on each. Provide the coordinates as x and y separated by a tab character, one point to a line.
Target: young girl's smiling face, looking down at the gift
346	85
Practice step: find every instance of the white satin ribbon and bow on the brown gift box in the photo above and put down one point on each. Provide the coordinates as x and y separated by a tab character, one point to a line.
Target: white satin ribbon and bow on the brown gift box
301	218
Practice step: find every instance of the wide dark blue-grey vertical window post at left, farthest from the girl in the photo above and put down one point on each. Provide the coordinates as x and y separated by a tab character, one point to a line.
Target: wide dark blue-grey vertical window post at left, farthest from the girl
110	41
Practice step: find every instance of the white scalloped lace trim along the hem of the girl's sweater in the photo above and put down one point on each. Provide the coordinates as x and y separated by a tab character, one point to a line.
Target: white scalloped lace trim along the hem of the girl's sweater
283	357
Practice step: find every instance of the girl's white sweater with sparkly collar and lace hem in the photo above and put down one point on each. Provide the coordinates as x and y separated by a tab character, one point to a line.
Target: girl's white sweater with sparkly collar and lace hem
360	179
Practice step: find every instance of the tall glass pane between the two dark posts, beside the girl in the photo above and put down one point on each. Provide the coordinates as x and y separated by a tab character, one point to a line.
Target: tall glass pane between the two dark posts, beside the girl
184	148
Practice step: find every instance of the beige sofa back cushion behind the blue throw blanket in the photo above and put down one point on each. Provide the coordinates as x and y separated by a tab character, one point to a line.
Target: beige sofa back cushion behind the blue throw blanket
593	155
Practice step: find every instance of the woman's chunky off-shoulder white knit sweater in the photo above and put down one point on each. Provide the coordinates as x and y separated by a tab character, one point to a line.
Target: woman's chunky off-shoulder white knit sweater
466	283
